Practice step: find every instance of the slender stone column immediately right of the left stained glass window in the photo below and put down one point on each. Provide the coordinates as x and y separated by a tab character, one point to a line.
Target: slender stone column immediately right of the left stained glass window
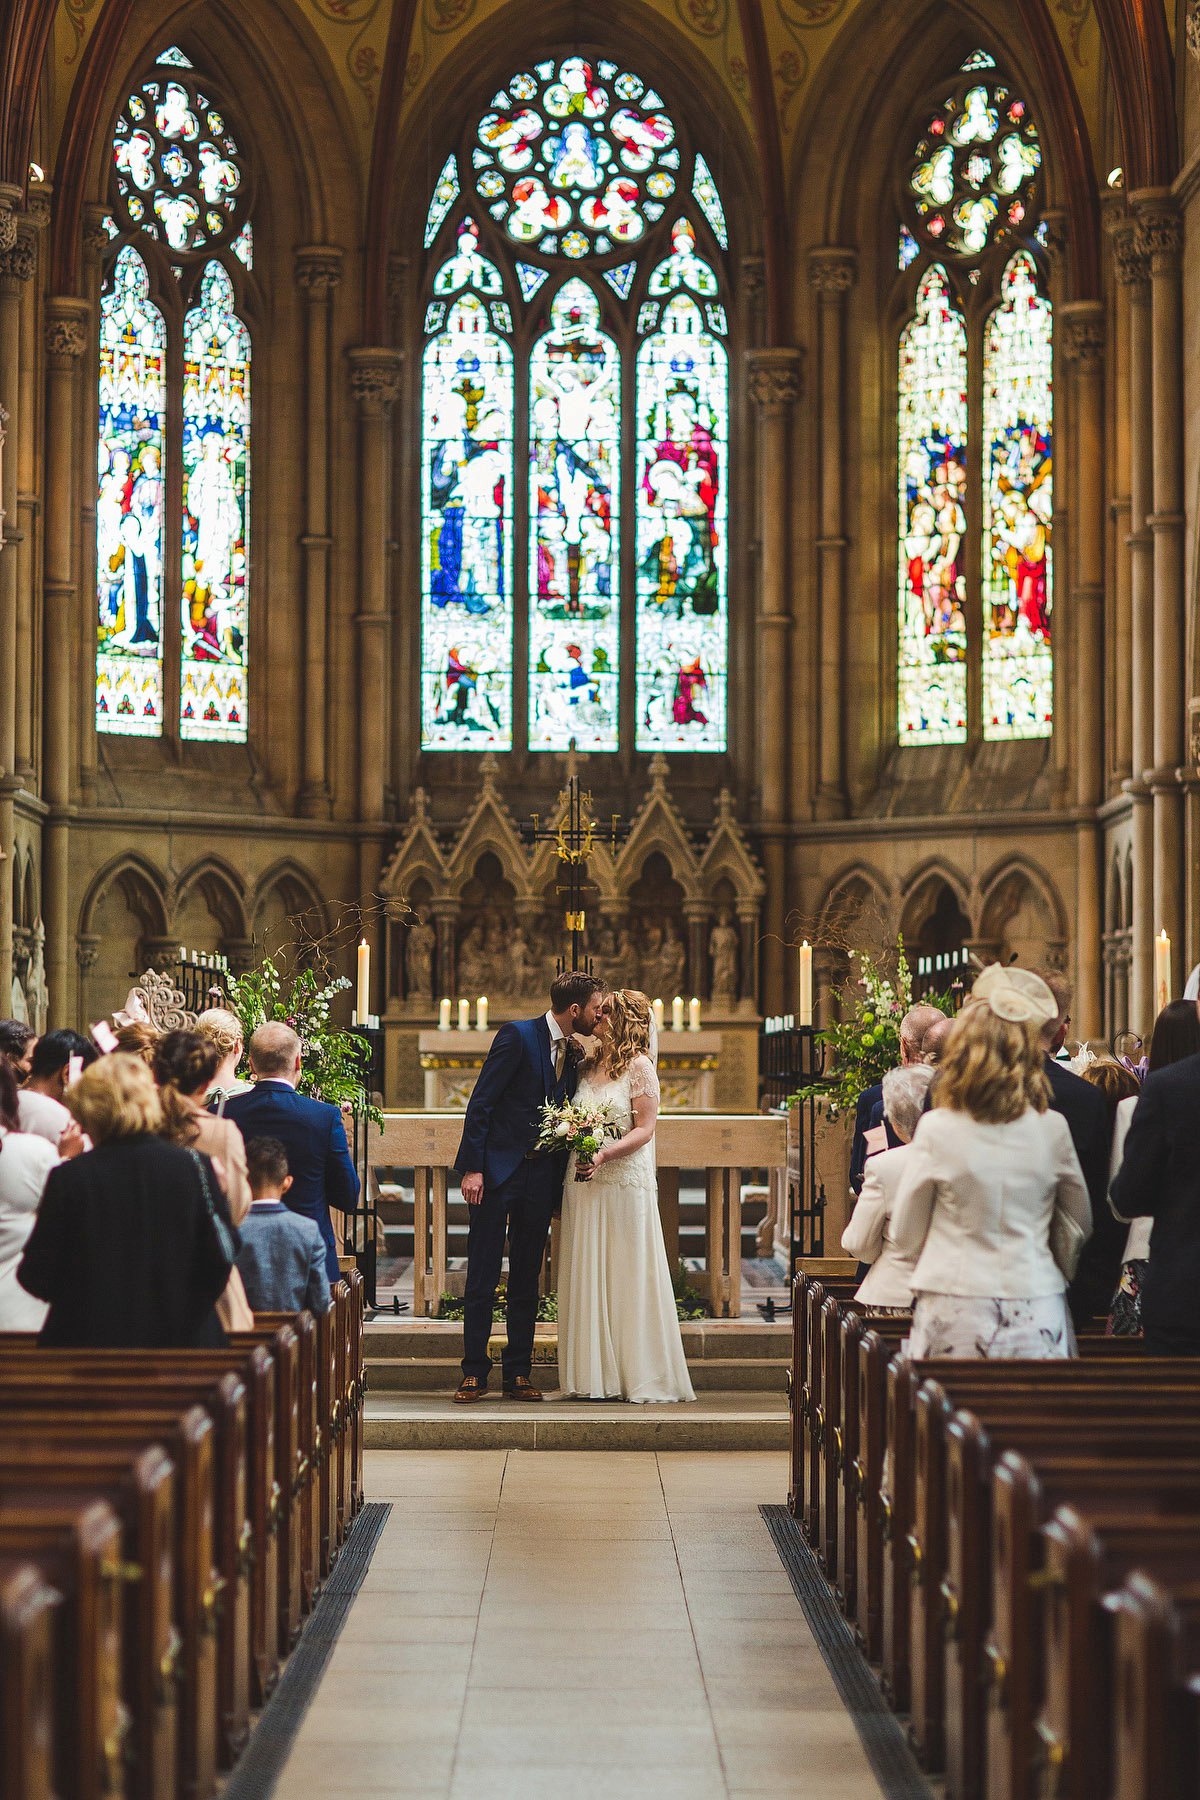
318	274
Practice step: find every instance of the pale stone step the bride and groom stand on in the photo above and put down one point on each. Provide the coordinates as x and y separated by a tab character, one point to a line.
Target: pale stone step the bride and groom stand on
717	1421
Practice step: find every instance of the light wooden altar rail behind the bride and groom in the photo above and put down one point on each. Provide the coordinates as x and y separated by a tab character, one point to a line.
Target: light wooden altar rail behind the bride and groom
722	1144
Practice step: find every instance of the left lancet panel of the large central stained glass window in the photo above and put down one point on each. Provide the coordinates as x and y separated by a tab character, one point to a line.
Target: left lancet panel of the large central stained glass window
467	541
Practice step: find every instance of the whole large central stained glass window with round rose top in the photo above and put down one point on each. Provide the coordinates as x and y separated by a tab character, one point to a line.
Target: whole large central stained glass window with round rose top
577	246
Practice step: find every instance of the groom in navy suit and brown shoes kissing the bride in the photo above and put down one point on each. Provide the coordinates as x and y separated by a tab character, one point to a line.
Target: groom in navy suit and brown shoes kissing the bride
508	1185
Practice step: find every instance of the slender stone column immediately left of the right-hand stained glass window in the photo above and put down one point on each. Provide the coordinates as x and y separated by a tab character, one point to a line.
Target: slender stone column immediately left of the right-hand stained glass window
832	274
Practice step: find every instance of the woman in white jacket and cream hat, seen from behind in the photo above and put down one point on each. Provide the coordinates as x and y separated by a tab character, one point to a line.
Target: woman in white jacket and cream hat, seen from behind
990	1185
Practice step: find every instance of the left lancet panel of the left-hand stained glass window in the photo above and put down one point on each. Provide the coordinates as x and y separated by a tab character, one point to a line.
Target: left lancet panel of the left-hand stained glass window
130	507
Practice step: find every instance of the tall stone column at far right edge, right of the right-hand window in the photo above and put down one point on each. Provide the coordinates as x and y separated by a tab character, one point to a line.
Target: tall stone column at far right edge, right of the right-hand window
1161	237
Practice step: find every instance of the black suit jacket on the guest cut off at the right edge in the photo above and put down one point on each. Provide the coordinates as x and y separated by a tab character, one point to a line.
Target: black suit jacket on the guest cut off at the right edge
1160	1180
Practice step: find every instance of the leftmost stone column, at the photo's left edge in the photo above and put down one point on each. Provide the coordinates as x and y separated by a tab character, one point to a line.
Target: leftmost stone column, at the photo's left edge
17	265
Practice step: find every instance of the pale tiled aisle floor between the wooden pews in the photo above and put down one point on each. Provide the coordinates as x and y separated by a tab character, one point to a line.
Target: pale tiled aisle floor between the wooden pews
577	1626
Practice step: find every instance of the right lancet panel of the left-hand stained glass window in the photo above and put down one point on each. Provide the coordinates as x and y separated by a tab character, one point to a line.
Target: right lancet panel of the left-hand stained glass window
217	501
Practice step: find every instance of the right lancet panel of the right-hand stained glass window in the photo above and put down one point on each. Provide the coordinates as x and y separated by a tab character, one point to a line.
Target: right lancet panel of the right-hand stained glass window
1019	503
